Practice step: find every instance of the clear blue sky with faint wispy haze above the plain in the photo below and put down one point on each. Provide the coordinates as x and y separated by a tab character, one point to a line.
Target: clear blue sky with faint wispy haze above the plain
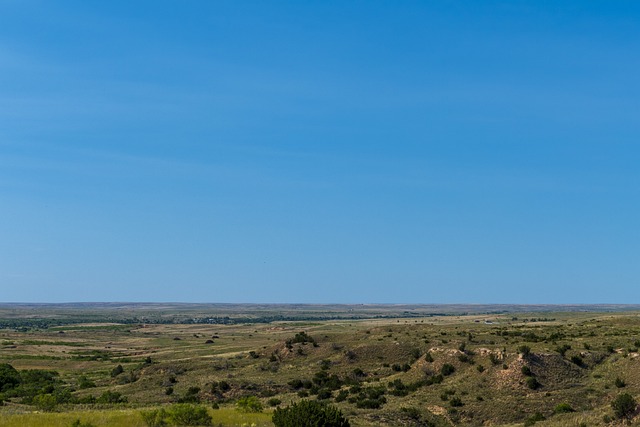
321	152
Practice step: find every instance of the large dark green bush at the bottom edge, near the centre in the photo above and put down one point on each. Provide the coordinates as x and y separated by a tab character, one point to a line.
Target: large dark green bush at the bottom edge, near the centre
307	413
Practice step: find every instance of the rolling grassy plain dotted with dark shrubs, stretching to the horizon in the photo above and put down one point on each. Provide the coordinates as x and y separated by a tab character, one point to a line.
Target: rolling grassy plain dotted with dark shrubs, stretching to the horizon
395	368
